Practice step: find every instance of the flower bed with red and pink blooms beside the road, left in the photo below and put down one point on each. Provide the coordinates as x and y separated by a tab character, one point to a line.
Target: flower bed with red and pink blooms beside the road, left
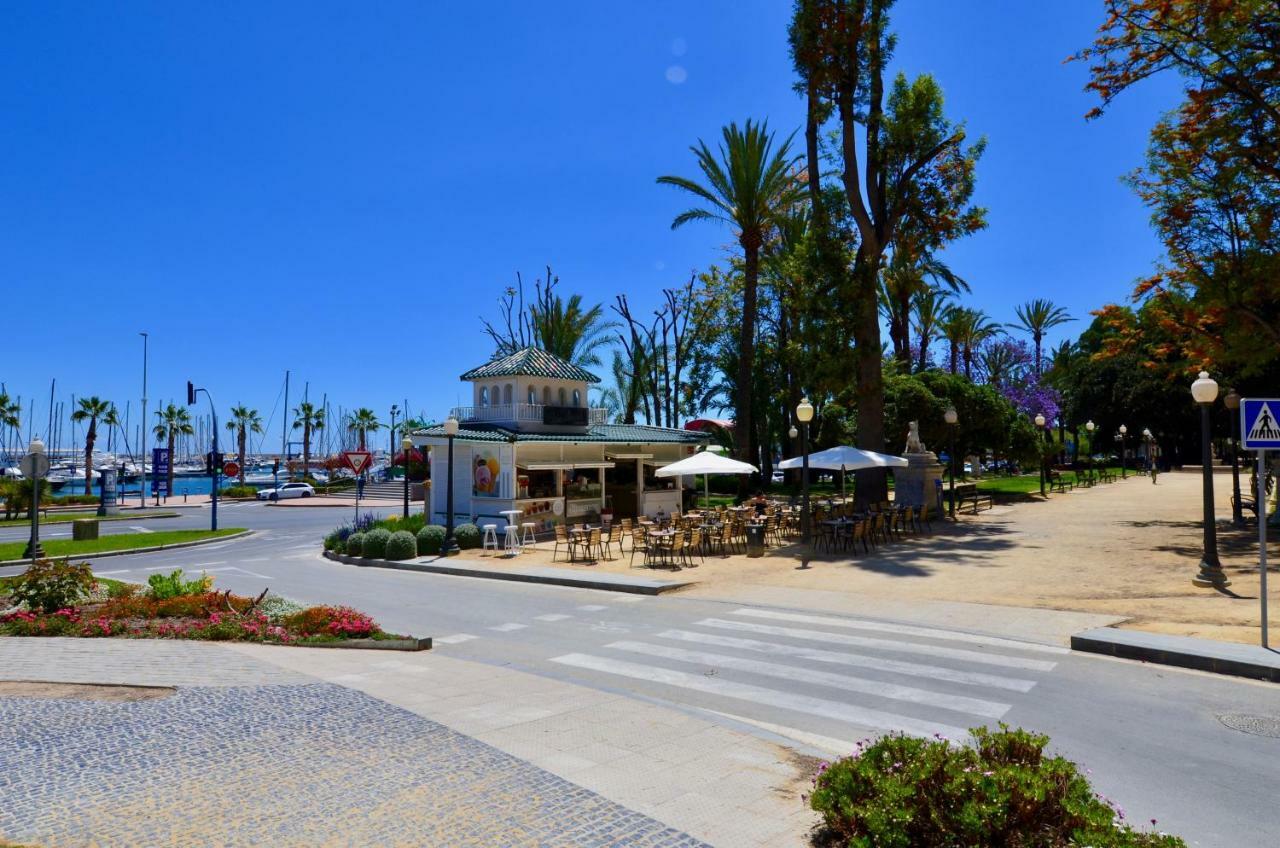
57	599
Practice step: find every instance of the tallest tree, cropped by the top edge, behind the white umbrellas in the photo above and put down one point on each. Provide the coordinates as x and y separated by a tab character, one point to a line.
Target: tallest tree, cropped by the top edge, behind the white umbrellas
917	168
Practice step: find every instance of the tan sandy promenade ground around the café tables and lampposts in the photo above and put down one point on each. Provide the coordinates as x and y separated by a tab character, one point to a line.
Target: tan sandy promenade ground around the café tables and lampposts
1128	549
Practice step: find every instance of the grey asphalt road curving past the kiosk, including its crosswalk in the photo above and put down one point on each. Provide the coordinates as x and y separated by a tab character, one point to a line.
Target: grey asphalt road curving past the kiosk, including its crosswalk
1150	736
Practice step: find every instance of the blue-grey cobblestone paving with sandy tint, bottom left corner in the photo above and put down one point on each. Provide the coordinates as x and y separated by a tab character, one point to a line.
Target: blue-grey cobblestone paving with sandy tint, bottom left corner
282	765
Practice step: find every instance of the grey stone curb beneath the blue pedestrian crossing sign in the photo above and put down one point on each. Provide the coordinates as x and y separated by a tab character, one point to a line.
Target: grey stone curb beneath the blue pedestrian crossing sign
1186	653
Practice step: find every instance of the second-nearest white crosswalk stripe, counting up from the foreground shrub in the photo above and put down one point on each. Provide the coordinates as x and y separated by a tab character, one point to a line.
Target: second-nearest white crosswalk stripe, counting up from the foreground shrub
881	690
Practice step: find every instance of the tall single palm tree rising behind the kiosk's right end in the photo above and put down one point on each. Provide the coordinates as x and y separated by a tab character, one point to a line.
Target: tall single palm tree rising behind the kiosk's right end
751	186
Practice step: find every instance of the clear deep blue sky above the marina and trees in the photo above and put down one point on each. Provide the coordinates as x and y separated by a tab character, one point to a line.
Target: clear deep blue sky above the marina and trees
342	190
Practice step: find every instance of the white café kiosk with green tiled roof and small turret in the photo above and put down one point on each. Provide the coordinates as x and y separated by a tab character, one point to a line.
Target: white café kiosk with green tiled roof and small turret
529	441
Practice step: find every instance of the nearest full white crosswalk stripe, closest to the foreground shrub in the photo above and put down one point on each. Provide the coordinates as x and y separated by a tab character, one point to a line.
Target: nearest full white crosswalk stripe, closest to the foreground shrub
858	717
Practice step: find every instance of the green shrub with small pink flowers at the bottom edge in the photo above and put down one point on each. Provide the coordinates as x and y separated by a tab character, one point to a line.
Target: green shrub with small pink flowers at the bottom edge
902	792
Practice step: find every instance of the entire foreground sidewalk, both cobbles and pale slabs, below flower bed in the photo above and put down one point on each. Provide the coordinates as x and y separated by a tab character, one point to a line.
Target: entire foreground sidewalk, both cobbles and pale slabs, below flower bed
267	745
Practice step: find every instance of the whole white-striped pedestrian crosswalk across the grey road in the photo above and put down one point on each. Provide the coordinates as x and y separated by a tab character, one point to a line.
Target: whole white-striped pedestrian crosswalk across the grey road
824	677
